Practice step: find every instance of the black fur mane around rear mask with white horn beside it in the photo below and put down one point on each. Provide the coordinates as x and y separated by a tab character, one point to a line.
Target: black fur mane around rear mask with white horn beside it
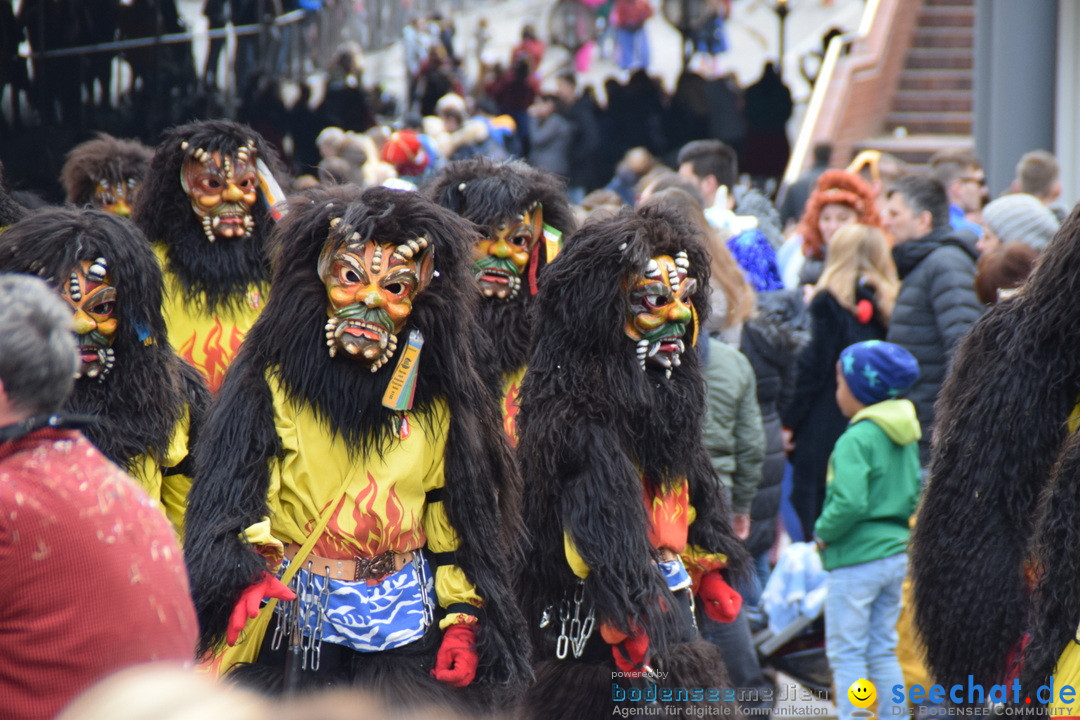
214	276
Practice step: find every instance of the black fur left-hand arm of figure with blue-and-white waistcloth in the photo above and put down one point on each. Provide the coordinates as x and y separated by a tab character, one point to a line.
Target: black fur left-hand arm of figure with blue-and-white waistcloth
227	496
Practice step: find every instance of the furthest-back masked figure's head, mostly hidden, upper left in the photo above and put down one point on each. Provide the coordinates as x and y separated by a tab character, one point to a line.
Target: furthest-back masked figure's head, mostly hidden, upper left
106	173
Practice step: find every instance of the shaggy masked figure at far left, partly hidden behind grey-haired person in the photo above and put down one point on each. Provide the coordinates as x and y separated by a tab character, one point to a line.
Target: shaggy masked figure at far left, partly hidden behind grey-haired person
147	403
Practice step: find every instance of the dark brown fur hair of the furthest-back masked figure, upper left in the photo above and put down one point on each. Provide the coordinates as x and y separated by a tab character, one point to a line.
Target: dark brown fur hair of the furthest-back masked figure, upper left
104	158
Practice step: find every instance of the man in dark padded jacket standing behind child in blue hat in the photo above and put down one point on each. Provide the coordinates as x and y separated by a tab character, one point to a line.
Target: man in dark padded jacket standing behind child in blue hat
937	303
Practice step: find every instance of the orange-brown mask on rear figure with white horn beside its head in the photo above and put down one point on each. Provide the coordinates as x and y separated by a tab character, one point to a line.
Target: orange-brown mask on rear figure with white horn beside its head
223	189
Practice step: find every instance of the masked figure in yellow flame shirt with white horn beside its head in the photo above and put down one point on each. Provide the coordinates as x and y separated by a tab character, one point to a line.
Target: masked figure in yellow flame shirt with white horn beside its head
208	207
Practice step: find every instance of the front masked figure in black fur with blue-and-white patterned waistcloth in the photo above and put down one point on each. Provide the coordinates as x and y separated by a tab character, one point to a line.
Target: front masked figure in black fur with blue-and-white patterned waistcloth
355	454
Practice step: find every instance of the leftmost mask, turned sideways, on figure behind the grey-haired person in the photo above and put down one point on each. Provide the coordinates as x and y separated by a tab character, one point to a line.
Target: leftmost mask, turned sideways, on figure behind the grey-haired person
93	300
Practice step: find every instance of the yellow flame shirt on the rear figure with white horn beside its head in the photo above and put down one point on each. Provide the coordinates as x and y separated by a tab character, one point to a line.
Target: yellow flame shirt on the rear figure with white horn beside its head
209	342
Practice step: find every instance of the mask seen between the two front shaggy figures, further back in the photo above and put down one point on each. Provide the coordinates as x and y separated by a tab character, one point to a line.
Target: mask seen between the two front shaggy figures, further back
502	259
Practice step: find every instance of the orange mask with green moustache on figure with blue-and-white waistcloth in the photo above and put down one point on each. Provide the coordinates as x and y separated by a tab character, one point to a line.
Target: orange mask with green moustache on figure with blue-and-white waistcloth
371	287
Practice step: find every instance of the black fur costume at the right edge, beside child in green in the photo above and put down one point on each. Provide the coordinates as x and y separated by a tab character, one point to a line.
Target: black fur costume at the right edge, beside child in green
1001	429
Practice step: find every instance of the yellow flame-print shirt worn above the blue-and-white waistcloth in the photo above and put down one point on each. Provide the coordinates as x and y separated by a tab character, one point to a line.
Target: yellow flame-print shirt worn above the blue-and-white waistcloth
385	506
